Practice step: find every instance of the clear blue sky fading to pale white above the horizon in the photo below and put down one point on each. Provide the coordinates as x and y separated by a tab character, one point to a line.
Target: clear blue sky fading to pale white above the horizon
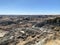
29	6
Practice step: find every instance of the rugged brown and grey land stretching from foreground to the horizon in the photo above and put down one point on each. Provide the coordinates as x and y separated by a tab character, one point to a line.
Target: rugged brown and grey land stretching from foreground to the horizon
30	30
